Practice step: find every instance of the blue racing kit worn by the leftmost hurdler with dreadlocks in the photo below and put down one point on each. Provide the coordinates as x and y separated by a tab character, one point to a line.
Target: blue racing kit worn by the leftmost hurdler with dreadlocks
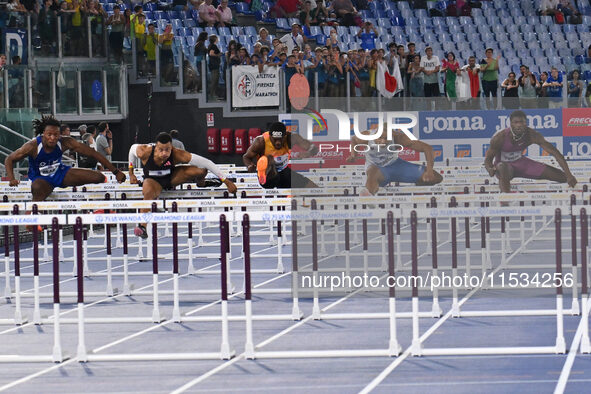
48	165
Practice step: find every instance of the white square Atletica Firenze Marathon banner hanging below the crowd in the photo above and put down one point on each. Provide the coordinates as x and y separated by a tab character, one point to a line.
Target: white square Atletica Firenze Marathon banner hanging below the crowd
253	89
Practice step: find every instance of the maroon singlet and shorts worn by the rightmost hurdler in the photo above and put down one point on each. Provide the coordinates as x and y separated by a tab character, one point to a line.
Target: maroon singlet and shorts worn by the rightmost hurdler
511	154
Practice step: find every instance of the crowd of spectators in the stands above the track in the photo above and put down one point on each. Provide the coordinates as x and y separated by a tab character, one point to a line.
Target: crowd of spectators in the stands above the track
330	64
